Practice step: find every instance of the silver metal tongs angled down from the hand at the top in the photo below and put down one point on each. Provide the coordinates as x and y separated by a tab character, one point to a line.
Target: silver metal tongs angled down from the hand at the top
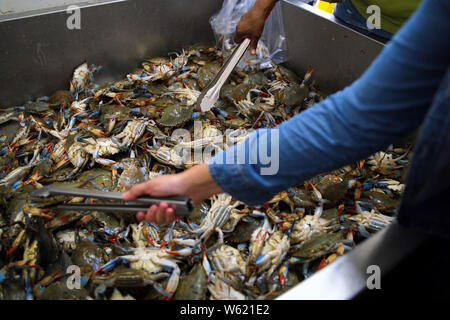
210	94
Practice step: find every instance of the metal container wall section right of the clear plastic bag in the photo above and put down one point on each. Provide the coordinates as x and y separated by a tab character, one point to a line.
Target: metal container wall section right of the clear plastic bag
315	38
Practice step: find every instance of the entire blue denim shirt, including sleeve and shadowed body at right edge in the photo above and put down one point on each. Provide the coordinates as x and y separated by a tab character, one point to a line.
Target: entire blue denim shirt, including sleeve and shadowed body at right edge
405	88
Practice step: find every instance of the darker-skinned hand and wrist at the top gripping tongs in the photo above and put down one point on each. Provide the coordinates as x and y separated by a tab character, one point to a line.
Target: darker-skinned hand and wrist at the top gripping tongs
252	22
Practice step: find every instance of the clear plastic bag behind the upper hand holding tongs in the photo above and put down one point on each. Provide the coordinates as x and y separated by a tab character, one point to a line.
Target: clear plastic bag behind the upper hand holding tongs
271	45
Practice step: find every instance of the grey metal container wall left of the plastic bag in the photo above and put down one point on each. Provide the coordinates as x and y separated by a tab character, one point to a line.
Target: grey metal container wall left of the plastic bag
38	53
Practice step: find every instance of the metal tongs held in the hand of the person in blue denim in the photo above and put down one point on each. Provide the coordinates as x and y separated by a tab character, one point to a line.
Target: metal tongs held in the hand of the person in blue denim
183	204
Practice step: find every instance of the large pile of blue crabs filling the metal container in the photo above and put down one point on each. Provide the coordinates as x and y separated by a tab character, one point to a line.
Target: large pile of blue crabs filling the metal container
114	135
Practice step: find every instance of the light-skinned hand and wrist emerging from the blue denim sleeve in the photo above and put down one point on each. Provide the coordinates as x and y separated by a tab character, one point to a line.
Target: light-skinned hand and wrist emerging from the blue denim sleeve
196	183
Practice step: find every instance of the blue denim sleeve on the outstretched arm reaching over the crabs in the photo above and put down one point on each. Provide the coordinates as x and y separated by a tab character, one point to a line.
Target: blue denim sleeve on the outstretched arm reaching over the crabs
390	99
